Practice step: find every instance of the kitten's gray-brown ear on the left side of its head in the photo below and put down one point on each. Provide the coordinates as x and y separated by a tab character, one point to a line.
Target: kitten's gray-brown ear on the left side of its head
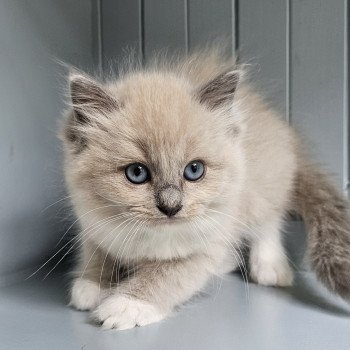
89	97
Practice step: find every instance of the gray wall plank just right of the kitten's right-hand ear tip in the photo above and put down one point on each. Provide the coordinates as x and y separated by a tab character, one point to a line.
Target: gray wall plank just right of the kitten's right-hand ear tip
263	42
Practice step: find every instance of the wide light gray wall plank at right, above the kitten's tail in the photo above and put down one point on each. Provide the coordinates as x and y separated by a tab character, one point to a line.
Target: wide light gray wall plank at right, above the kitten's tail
318	90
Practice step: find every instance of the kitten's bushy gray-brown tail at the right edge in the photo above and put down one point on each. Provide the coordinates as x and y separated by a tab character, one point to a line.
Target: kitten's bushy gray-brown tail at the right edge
326	215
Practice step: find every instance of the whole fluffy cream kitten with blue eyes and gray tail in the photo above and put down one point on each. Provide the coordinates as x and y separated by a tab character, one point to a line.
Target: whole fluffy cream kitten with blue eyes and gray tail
171	168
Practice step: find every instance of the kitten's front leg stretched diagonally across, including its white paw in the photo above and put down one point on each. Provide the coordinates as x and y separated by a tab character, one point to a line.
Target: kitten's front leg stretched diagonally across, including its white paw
153	291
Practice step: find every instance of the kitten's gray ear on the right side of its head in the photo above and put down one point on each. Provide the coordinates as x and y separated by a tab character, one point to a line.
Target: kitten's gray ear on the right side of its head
219	91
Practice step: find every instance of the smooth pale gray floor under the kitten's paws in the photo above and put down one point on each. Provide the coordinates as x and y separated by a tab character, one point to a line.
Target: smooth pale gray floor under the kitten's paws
34	316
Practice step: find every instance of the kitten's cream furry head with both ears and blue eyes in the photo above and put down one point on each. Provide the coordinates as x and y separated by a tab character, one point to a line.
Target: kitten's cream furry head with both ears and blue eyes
154	145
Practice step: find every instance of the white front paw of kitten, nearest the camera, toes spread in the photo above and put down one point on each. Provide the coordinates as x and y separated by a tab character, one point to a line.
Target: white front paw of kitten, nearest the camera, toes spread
124	312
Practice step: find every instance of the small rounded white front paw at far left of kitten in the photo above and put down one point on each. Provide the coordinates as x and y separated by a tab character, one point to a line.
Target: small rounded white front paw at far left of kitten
85	294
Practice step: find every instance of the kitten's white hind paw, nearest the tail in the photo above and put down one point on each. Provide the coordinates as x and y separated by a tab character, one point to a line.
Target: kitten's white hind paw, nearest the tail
271	273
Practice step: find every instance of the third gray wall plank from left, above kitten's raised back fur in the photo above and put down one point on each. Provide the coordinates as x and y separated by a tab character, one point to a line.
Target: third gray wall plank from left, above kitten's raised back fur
208	20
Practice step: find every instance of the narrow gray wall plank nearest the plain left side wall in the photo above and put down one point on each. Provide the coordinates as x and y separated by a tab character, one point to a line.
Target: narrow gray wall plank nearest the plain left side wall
121	28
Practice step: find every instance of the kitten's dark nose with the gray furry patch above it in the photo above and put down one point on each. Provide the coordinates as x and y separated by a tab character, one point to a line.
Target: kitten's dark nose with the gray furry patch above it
169	198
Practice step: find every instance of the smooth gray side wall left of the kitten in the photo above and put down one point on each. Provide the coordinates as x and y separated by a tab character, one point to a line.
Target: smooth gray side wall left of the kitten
32	35
